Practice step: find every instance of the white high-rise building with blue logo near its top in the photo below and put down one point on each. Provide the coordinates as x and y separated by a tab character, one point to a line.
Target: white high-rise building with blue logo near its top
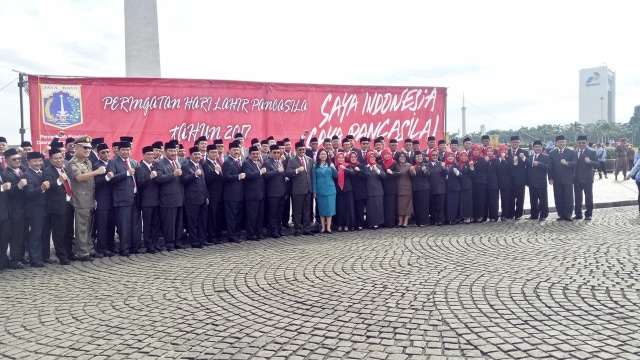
597	95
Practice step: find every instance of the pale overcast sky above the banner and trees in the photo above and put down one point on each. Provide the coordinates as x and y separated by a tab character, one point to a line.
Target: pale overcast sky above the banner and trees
516	62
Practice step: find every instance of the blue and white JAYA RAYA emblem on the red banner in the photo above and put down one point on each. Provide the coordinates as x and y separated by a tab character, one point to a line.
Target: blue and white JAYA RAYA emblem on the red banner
62	105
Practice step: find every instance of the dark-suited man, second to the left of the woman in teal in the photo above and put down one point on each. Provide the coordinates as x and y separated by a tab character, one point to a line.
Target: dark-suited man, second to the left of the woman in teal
274	191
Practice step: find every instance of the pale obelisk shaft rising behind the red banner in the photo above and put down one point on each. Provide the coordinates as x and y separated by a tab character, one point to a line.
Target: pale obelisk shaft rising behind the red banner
142	45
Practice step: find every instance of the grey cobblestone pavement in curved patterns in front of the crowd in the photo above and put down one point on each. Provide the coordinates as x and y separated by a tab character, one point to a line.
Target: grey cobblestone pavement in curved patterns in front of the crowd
512	290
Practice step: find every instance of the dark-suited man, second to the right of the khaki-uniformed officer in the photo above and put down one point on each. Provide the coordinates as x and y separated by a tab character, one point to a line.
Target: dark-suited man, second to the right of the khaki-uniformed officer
121	176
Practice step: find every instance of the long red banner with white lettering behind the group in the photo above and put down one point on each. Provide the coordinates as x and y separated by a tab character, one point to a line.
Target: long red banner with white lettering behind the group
163	109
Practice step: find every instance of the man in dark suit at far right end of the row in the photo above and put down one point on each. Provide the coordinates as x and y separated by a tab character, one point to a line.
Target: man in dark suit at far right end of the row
587	161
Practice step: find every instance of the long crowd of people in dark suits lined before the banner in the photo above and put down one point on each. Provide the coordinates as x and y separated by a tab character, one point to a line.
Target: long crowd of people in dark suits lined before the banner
82	193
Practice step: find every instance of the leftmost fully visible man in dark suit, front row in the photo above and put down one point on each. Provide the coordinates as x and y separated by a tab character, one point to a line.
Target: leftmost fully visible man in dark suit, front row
14	228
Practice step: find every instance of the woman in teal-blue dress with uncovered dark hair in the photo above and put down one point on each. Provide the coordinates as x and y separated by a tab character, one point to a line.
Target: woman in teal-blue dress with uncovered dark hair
324	189
